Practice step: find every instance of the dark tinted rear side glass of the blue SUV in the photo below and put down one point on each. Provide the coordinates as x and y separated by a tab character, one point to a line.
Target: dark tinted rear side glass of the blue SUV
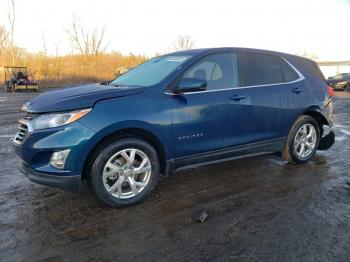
266	69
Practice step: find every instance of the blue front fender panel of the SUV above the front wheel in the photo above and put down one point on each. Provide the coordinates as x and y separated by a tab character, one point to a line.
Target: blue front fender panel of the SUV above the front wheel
150	114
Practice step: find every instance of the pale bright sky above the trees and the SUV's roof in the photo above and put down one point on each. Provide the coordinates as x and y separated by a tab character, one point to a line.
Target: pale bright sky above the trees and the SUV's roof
148	27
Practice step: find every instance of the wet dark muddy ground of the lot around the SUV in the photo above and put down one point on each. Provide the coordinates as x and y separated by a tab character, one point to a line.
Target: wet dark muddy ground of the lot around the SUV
260	209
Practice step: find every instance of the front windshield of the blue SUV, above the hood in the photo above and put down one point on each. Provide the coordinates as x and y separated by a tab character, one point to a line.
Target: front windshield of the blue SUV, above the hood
151	72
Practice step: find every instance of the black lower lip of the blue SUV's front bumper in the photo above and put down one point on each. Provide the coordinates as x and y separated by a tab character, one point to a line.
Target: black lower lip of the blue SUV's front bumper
69	183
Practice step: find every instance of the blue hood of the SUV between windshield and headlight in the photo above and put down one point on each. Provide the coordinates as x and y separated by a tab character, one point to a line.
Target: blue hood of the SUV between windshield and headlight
76	97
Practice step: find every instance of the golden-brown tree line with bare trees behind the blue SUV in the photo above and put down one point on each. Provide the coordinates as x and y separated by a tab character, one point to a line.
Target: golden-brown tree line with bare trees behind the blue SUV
88	61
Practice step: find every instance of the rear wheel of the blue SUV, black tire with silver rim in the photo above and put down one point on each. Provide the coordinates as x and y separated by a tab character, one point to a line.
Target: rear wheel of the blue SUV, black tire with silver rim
302	141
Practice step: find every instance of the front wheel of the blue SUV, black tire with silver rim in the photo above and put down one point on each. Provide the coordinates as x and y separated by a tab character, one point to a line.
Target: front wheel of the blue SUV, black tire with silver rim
125	172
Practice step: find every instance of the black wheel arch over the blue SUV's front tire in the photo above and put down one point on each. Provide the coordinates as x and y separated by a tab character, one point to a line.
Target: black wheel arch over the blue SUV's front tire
127	133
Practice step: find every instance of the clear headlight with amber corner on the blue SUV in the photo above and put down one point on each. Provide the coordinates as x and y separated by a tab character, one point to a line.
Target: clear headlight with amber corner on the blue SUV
57	119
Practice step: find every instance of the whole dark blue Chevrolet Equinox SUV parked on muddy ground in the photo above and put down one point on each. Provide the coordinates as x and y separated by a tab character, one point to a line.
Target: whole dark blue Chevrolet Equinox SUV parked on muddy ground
172	112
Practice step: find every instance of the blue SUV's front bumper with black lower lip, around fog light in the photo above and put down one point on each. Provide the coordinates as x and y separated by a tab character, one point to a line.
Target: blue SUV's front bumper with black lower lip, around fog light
37	148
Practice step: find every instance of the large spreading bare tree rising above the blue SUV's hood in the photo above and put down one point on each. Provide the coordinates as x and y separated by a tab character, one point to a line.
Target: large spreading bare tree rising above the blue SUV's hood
89	43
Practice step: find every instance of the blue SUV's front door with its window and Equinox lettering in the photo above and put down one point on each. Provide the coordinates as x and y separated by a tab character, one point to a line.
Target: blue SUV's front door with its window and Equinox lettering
199	117
